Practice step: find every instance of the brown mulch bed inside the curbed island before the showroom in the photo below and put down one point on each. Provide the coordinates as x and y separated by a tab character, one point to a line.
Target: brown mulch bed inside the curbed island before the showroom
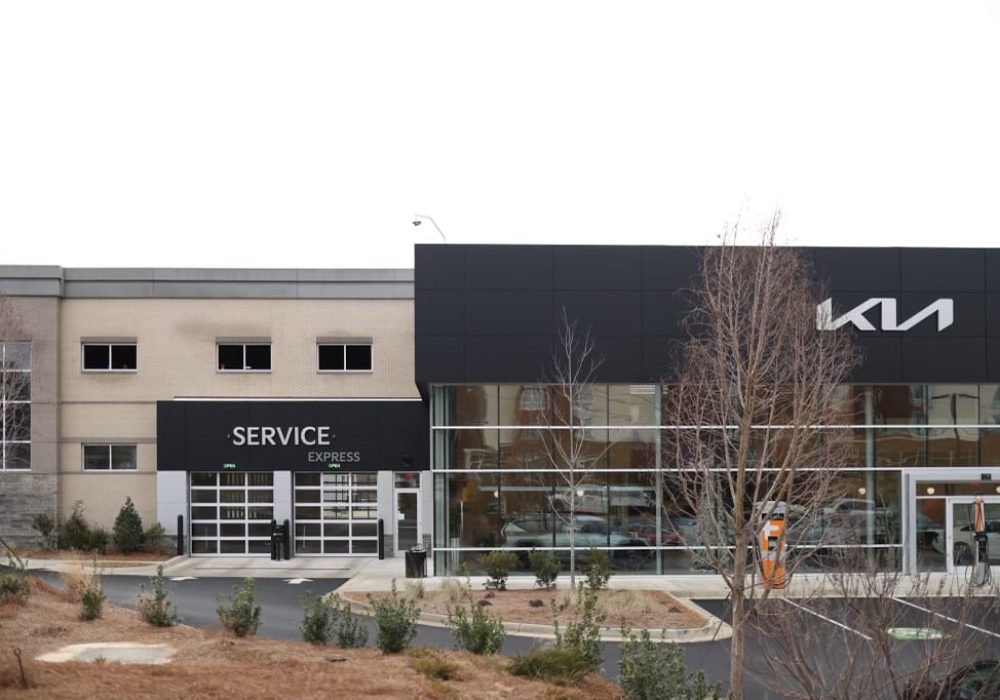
637	608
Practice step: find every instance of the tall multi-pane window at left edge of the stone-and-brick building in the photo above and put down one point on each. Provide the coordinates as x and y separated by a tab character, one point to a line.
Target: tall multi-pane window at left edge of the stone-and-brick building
15	404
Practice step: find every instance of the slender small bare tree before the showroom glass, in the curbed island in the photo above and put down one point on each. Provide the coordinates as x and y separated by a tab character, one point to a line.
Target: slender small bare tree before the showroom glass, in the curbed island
565	425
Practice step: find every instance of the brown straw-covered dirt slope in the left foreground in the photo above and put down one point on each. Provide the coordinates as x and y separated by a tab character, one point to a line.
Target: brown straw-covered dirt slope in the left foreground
214	665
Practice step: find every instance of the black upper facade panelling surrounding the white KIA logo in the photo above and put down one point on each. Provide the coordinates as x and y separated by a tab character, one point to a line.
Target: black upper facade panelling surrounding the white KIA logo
632	298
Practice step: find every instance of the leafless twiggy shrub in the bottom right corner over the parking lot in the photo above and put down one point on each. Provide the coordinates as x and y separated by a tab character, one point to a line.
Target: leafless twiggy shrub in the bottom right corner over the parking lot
869	631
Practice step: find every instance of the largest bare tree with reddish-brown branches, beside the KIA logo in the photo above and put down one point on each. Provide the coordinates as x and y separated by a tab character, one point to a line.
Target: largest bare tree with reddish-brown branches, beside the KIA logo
756	387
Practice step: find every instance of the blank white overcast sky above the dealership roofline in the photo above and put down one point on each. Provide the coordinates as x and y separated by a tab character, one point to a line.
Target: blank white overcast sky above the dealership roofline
308	134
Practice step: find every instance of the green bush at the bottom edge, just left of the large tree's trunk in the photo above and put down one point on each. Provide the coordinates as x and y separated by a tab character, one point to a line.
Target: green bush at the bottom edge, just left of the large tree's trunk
651	670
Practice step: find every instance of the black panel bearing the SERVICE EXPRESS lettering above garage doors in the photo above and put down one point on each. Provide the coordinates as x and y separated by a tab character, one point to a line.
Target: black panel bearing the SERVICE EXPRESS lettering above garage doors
291	435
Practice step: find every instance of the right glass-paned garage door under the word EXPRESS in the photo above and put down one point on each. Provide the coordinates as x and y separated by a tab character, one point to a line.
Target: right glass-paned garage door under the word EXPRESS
336	513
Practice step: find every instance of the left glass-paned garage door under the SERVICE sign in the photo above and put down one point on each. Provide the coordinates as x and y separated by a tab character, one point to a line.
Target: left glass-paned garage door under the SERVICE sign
231	512
